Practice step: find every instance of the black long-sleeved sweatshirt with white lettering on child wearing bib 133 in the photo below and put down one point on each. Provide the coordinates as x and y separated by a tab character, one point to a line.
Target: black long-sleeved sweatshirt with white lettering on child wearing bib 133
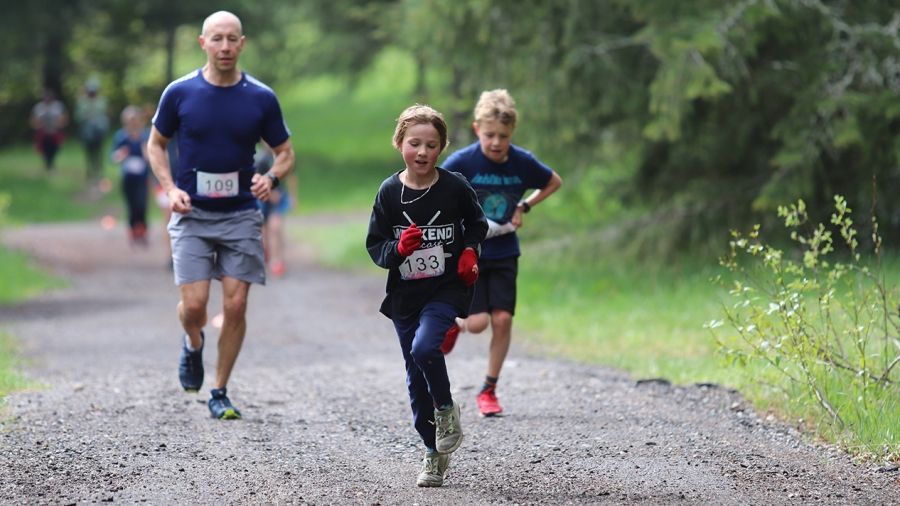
449	216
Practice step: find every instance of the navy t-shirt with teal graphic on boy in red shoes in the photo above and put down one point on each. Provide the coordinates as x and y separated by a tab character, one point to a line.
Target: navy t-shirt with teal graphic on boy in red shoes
500	187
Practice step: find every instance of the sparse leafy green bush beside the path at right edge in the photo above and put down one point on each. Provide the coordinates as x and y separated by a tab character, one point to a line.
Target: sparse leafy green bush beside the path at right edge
824	322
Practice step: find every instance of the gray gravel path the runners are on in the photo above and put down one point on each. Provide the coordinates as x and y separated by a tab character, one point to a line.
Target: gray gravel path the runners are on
321	385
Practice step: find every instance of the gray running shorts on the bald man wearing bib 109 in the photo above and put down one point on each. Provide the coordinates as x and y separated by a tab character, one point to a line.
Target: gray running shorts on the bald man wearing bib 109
208	245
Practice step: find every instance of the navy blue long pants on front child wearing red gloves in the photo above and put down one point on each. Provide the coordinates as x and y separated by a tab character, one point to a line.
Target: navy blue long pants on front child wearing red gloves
426	371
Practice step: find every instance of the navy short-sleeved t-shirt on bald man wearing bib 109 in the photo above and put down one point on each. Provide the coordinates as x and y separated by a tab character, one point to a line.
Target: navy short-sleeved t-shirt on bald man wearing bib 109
218	128
